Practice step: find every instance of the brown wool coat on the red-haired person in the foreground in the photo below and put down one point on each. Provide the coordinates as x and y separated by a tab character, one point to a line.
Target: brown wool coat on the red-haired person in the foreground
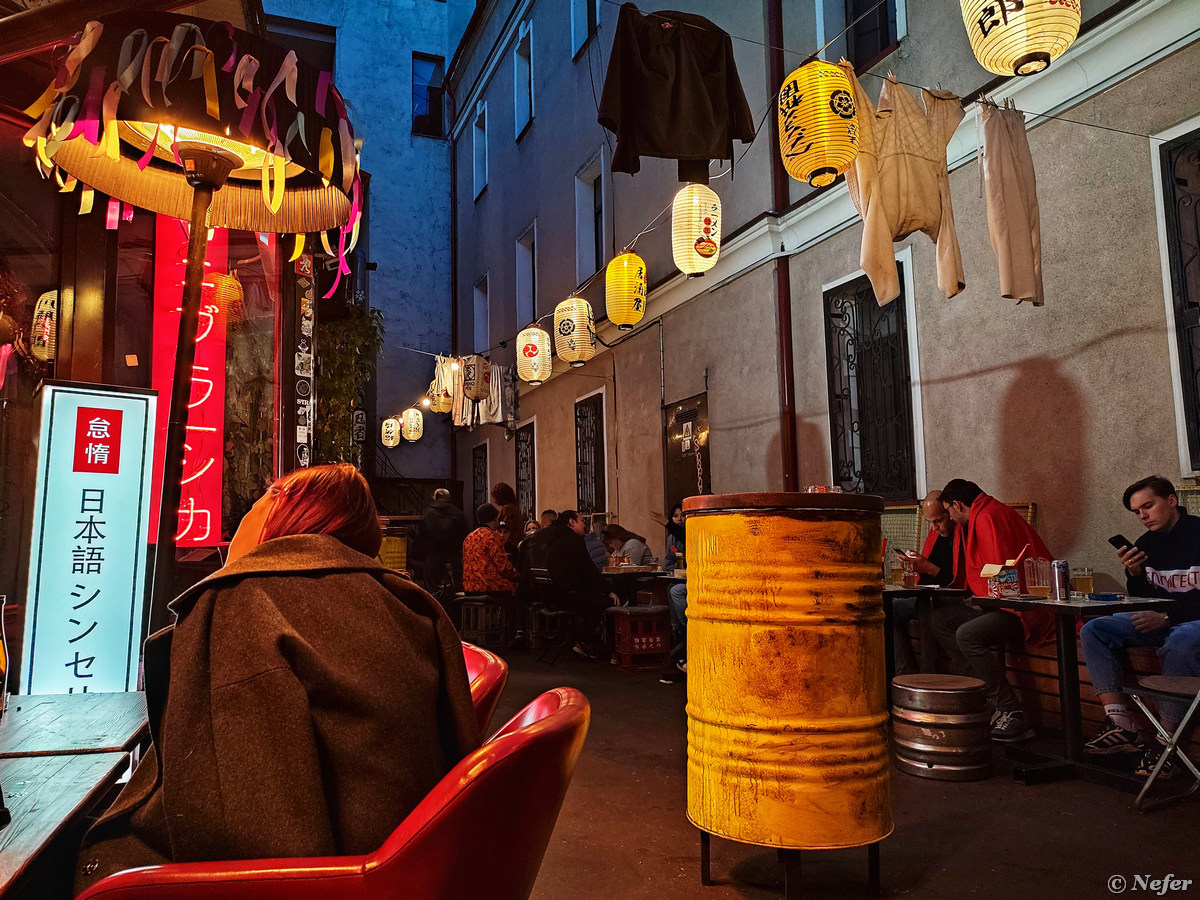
303	705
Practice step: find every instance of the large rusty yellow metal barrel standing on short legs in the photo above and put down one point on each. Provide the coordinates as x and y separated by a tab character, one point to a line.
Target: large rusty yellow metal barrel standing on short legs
788	742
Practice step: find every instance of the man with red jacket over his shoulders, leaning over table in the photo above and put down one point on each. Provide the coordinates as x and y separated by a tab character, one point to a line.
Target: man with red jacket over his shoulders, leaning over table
991	532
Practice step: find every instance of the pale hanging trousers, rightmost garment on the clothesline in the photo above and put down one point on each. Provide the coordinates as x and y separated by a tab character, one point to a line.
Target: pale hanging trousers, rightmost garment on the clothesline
1013	218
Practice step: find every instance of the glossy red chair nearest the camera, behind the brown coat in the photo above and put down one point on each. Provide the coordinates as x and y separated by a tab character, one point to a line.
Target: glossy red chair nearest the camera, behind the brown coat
481	833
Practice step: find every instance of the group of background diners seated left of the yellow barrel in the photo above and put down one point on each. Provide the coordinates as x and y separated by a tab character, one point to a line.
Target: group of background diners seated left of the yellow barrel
502	556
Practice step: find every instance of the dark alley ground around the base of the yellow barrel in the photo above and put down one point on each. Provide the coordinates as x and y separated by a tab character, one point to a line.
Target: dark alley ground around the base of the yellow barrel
623	832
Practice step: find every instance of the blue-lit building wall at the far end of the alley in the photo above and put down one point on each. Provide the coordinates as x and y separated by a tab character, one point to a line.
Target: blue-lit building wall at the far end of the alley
410	214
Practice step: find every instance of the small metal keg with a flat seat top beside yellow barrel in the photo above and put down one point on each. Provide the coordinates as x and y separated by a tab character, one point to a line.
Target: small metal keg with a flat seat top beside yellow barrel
940	727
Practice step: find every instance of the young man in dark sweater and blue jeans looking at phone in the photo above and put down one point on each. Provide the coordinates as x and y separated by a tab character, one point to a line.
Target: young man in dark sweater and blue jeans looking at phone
1165	562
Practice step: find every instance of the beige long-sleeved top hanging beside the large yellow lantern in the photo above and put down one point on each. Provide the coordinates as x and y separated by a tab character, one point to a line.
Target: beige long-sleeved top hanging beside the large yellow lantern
899	183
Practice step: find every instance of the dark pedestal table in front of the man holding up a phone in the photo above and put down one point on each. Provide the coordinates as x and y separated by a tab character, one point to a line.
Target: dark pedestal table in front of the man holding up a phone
1066	613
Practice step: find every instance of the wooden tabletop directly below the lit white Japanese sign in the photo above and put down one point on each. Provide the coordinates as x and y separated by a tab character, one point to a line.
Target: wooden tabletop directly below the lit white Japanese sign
50	724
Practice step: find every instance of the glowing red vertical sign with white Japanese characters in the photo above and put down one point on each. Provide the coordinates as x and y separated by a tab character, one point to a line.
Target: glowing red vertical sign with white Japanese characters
200	511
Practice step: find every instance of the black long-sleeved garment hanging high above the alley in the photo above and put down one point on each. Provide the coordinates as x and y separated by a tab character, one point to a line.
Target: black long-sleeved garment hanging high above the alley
673	91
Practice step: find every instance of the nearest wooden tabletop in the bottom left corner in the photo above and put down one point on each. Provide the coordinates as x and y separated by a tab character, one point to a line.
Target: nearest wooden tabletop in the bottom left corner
47	795
